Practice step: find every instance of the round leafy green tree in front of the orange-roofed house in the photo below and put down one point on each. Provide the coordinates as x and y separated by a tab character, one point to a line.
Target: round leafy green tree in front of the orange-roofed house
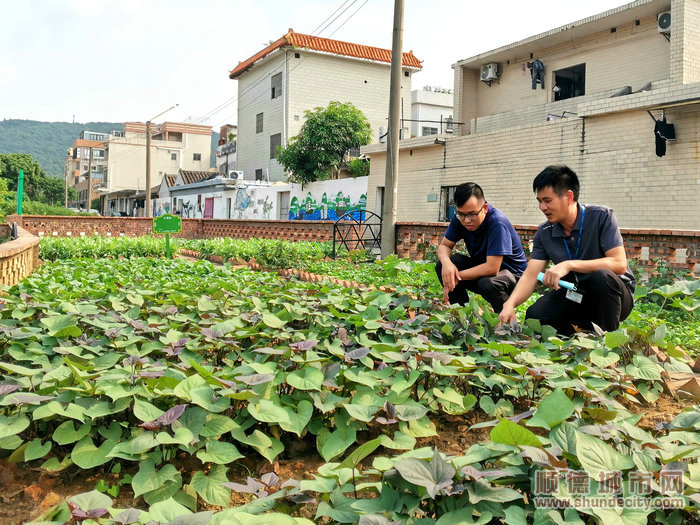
324	140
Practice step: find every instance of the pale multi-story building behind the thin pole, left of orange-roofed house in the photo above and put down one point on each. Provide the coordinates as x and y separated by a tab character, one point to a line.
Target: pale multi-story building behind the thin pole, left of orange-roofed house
174	146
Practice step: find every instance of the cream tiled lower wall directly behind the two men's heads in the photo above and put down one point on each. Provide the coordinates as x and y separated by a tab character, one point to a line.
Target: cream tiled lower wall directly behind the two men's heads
613	153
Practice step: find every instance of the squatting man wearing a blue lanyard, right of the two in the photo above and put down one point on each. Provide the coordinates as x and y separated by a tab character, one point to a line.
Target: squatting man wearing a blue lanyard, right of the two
585	246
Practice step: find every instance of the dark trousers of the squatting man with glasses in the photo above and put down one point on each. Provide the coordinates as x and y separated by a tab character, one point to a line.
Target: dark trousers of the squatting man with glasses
495	289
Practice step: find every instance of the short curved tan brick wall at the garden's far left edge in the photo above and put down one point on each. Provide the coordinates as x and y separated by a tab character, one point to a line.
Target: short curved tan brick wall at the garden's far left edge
19	257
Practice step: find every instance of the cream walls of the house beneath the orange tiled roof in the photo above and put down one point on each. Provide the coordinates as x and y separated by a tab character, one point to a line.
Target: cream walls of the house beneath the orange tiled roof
310	81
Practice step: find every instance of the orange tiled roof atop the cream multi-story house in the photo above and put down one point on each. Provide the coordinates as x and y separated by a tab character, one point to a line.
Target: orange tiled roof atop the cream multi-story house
337	47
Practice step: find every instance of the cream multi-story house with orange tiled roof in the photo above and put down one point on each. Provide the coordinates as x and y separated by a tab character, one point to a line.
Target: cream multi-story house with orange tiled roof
298	73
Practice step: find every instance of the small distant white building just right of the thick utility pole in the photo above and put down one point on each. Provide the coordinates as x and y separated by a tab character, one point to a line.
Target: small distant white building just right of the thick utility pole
431	112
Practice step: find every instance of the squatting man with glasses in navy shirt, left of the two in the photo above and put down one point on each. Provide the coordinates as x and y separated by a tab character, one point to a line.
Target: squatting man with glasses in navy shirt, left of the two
496	258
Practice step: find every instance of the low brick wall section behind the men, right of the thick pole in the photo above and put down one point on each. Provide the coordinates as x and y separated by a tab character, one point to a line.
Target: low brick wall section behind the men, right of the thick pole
680	249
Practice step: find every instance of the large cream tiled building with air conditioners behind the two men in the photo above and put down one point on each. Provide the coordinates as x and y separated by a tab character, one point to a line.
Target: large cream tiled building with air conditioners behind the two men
611	87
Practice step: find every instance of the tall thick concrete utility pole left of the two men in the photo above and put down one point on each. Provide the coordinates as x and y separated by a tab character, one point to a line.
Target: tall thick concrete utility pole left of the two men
392	143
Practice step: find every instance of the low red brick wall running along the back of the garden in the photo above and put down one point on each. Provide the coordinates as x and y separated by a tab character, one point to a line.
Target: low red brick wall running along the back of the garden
679	248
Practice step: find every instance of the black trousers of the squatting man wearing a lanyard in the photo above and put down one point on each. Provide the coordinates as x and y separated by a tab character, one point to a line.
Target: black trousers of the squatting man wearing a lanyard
606	302
